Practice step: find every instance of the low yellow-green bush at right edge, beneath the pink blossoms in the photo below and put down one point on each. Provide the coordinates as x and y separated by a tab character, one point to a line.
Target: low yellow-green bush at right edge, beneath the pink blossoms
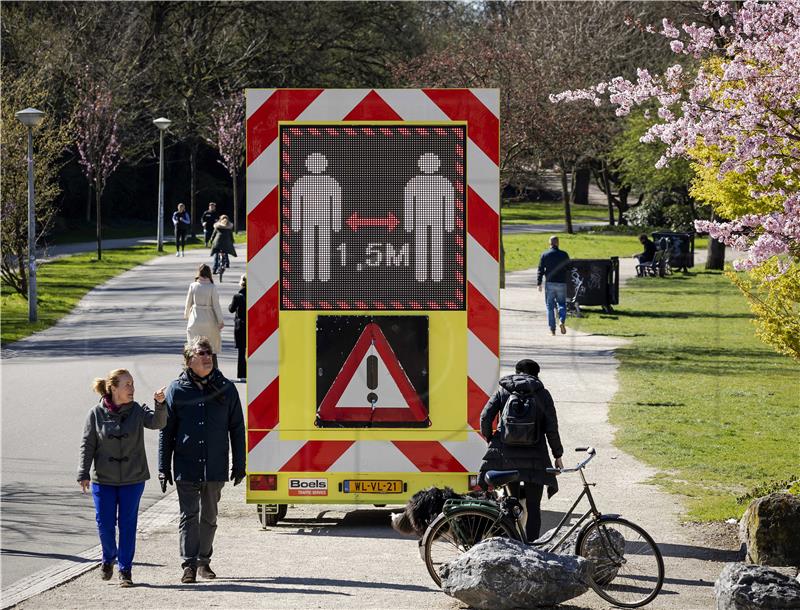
775	304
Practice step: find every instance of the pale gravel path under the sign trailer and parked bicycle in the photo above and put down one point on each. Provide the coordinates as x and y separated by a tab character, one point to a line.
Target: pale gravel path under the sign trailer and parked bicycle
353	559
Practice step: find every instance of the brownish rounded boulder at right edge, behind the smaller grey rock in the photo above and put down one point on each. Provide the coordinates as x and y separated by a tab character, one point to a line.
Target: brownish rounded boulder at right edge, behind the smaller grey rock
770	529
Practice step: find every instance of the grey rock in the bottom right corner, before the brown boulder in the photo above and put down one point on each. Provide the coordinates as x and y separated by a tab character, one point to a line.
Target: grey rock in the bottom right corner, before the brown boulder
748	587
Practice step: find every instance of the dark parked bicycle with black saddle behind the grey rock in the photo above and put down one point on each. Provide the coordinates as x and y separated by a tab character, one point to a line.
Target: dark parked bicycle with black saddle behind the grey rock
628	567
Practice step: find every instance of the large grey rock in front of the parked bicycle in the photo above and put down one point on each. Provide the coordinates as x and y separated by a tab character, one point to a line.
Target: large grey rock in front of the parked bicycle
500	573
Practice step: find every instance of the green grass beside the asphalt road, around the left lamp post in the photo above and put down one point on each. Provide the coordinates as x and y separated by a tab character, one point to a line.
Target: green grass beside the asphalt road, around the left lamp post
63	282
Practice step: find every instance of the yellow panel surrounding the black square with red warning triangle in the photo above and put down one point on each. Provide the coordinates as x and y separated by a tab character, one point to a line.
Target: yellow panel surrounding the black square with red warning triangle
447	366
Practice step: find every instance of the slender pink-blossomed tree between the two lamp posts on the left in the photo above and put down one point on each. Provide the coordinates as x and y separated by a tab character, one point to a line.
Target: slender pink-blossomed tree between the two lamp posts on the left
99	151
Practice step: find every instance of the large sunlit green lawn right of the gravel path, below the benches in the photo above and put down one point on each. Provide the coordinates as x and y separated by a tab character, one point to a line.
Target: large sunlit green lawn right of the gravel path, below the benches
701	398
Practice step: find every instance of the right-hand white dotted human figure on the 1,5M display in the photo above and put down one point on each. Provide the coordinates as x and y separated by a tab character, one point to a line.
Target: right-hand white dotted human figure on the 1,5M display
428	202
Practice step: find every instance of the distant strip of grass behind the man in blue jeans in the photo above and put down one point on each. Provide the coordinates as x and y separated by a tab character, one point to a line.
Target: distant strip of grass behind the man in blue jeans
523	249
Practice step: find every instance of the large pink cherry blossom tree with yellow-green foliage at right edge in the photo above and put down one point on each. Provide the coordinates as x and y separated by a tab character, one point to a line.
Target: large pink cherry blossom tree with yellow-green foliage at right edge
743	104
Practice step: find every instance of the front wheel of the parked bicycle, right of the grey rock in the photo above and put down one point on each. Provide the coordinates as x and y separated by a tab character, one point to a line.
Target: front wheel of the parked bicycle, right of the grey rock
628	568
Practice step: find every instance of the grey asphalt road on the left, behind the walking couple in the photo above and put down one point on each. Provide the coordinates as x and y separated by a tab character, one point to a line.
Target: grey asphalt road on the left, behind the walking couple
135	321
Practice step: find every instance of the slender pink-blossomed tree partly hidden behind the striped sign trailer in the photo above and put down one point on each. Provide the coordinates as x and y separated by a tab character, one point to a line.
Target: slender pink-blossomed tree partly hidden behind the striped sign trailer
227	136
